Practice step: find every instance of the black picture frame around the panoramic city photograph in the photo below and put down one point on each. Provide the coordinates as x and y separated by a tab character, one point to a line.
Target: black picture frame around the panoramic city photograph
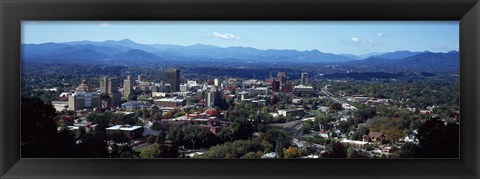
12	12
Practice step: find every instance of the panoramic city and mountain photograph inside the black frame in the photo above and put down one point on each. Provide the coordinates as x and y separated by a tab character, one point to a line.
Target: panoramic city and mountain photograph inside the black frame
262	90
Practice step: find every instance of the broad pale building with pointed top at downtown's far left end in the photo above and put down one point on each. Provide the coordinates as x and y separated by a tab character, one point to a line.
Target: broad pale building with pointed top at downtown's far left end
83	98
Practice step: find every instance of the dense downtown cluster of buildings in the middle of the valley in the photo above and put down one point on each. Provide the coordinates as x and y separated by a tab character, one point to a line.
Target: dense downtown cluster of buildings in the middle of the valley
171	93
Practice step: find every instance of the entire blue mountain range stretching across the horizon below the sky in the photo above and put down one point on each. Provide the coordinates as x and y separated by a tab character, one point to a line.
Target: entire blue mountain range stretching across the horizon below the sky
128	52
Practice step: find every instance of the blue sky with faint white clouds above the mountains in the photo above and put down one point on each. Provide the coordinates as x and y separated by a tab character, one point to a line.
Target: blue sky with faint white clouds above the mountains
353	37
